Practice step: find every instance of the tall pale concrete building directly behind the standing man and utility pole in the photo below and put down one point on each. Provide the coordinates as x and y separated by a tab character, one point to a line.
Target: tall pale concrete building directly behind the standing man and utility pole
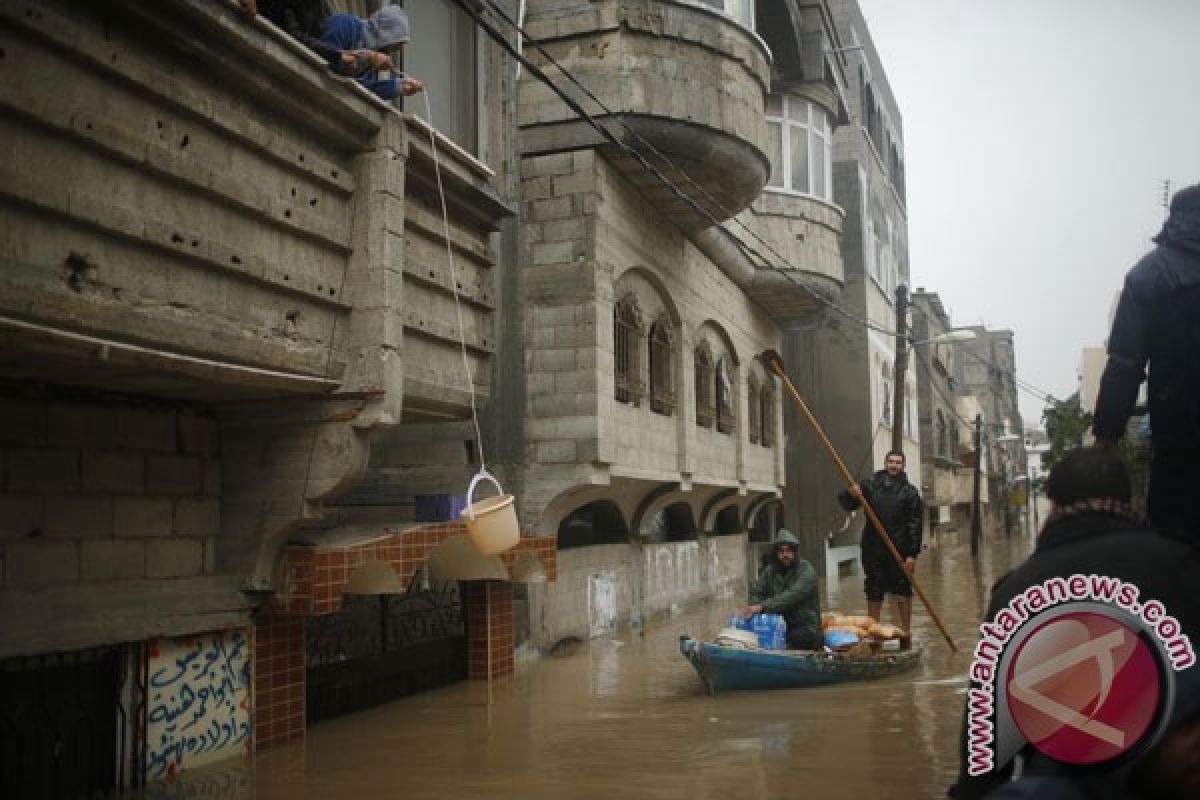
844	369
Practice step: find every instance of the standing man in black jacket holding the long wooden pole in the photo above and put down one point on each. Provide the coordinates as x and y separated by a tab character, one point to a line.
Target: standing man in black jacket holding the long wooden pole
899	508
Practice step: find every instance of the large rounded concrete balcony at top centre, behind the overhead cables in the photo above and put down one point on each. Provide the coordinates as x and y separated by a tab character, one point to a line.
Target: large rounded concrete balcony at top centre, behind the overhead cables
687	80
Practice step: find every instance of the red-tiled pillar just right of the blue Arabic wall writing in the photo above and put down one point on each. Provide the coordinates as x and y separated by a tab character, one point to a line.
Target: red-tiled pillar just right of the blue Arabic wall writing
279	679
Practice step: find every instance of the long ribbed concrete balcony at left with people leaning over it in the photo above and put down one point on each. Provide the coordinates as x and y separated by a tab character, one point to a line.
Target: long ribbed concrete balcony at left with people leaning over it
195	208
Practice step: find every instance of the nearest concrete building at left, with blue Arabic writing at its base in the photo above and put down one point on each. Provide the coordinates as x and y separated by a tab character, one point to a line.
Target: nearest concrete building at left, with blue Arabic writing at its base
223	284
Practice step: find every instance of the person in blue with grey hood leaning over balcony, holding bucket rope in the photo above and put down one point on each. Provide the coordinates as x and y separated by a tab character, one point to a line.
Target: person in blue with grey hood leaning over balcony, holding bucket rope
379	35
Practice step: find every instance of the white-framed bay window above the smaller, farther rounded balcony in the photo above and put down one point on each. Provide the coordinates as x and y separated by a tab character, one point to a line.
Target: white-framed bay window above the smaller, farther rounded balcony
799	147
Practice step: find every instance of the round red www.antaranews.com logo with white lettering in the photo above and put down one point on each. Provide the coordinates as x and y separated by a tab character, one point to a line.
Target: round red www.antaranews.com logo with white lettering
1091	679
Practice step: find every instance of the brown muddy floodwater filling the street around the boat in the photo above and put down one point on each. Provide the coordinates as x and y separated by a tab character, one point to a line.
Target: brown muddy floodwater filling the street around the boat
629	718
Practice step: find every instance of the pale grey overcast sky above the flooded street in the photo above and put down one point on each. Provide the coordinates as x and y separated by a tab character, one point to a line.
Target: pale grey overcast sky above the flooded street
1037	136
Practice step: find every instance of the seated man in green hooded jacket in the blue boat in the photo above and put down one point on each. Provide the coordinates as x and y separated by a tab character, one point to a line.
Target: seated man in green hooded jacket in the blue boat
789	587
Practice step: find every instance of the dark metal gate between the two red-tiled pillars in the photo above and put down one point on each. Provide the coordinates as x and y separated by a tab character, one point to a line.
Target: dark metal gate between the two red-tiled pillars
385	647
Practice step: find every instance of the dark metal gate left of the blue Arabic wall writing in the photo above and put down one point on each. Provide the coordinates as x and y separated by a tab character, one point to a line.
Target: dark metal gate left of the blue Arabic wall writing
63	725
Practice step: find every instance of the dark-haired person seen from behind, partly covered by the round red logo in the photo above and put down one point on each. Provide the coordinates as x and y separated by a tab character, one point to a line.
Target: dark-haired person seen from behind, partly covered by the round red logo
1093	531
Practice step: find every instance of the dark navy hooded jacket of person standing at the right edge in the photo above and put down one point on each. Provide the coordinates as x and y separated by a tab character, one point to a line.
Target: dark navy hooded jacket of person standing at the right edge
1159	321
